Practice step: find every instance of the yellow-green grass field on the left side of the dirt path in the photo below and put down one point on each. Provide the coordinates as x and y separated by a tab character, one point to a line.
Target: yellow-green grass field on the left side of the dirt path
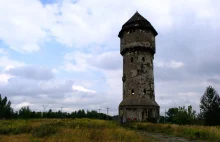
65	130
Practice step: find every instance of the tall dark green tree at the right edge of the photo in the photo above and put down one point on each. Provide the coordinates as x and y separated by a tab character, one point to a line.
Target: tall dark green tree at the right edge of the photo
210	107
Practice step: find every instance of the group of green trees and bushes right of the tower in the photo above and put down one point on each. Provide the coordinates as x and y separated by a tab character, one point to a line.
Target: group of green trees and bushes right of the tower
209	111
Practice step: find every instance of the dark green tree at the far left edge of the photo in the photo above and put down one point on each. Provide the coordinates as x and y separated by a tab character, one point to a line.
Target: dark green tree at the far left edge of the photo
5	108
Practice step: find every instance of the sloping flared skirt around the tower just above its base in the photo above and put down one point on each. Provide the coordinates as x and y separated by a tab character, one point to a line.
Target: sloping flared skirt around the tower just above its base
138	102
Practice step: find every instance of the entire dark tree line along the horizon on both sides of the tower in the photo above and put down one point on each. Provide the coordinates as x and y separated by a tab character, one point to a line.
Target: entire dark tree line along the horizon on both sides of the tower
209	112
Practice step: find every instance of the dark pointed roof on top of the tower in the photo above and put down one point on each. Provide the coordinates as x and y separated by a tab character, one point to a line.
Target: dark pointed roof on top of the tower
137	20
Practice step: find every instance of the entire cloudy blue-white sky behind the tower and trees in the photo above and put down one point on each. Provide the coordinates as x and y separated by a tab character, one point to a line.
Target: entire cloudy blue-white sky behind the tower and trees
66	53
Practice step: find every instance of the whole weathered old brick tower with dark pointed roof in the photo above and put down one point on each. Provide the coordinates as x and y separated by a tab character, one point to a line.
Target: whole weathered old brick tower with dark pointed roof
137	46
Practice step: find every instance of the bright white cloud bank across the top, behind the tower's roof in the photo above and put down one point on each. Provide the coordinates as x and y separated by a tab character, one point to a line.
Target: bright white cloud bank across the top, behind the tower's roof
83	23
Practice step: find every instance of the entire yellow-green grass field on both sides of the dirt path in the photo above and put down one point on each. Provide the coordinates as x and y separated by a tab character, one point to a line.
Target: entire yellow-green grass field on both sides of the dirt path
86	130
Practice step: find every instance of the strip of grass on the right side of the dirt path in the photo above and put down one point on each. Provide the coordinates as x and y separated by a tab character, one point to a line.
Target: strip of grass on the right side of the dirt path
187	131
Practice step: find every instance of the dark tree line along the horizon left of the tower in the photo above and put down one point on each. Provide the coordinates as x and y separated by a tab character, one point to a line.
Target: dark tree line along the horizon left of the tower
6	112
